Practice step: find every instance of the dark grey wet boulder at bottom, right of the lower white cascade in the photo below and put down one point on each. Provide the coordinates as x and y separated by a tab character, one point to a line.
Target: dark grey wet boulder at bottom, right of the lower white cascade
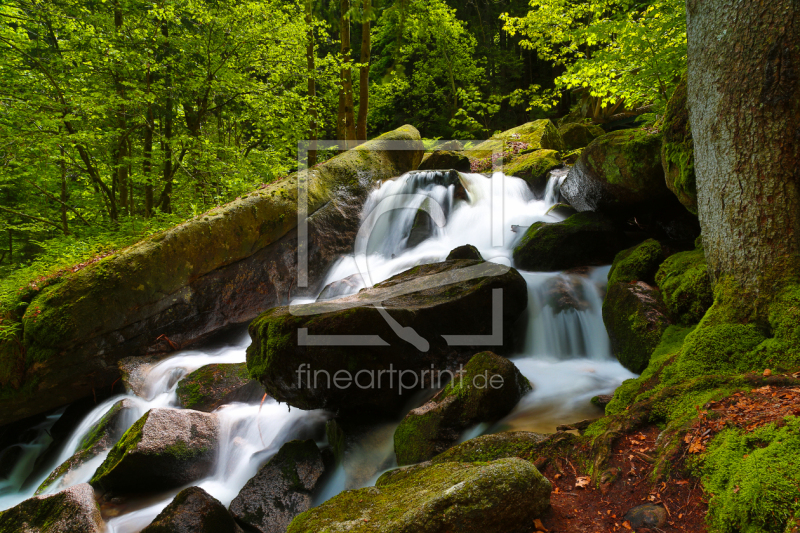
281	490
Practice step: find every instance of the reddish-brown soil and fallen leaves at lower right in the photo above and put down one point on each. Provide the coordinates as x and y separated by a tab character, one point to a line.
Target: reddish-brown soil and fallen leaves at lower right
578	507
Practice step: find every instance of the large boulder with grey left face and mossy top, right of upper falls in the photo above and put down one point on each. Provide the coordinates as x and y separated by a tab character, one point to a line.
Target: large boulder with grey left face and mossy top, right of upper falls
619	170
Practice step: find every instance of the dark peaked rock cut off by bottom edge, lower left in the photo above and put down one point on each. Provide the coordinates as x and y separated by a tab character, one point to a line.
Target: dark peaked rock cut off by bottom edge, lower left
193	510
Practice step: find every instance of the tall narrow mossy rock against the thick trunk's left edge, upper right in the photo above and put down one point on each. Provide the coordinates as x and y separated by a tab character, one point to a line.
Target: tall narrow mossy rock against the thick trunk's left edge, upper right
677	150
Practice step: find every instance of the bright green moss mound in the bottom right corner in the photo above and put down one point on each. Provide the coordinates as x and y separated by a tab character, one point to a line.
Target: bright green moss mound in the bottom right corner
753	478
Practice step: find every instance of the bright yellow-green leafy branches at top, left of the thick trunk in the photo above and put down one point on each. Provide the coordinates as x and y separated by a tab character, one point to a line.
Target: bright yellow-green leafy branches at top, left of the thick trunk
614	49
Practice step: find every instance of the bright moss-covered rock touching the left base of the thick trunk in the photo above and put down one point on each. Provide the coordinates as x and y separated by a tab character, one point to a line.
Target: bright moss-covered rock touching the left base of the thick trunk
686	286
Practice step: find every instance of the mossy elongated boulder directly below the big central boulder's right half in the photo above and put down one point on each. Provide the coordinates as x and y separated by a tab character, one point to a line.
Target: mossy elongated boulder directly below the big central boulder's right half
487	389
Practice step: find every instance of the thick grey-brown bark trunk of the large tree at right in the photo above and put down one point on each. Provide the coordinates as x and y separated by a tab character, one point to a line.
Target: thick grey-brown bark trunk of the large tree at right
744	110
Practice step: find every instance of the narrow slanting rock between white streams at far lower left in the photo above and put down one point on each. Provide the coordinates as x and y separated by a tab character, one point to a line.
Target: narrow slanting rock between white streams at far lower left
101	437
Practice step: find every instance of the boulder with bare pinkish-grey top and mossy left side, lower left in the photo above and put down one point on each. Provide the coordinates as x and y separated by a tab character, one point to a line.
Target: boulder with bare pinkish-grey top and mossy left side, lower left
165	448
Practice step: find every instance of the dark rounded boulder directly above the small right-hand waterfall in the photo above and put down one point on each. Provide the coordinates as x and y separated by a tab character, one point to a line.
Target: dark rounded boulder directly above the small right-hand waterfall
581	240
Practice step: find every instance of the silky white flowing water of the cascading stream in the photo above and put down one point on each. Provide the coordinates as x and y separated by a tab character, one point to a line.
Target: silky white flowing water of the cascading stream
564	349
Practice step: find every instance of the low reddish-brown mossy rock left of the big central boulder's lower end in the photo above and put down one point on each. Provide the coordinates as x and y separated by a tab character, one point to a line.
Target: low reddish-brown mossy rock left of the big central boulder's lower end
210	386
